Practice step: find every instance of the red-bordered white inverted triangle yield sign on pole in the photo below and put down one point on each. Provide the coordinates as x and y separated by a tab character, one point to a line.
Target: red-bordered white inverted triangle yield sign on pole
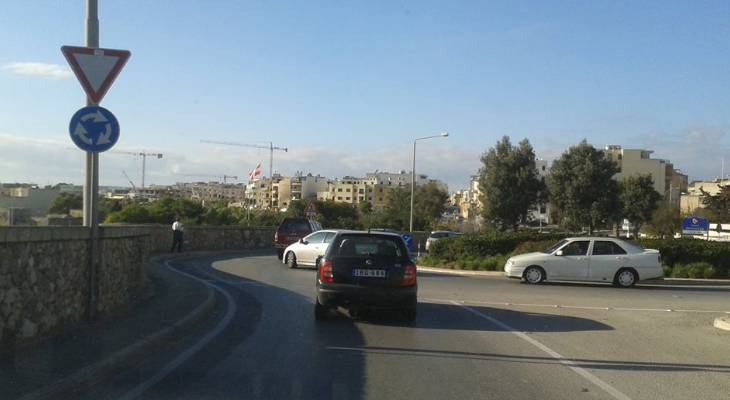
95	68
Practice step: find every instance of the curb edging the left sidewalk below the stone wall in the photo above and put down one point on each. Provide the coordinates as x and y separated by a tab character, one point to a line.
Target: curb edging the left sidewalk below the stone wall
102	369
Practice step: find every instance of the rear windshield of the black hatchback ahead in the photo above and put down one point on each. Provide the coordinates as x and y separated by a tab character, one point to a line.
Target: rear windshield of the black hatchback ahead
369	245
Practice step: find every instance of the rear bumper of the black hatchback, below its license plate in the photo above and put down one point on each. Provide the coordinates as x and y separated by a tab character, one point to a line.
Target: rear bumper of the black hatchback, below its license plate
333	295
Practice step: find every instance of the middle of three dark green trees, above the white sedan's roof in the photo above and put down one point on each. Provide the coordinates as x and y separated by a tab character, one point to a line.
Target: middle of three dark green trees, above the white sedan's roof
581	186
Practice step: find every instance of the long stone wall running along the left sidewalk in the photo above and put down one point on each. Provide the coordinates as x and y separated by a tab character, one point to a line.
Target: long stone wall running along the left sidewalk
44	271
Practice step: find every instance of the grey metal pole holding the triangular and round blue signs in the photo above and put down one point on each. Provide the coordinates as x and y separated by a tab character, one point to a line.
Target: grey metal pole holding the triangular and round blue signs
91	200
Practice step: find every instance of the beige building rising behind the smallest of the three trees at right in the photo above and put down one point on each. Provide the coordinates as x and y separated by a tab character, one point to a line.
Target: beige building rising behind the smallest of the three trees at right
667	180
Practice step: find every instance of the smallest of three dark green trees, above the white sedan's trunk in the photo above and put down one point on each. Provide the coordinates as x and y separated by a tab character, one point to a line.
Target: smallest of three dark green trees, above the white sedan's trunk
639	199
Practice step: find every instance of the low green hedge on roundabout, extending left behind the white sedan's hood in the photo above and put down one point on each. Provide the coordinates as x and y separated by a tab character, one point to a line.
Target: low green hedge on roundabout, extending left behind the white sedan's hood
486	245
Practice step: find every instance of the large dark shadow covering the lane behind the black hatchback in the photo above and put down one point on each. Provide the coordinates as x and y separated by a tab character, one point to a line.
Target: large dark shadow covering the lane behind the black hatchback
272	350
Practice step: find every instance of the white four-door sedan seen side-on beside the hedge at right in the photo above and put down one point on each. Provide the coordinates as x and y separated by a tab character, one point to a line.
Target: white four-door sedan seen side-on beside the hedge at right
596	259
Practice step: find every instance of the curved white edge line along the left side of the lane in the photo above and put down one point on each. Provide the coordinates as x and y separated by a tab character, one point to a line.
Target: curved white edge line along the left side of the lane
187	354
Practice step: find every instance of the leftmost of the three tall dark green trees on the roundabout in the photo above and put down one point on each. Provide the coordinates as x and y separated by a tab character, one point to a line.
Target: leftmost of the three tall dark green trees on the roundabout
509	183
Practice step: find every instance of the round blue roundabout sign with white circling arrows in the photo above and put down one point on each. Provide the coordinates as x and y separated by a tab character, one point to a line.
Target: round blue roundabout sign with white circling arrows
94	129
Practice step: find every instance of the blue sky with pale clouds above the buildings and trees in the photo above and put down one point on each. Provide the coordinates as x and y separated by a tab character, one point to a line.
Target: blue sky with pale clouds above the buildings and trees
347	86
